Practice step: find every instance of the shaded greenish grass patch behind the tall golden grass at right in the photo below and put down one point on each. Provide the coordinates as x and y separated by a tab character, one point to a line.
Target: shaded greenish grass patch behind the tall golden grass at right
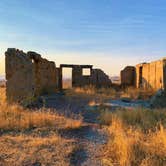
142	119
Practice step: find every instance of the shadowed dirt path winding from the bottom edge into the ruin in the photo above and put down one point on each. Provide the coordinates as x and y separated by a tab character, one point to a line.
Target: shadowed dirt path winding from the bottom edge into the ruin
89	138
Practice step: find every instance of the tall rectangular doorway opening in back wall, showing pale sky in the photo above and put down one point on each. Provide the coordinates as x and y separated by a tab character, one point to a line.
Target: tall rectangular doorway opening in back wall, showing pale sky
66	78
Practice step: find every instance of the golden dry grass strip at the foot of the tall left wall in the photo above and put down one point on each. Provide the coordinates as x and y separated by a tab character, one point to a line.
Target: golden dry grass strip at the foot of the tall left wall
15	117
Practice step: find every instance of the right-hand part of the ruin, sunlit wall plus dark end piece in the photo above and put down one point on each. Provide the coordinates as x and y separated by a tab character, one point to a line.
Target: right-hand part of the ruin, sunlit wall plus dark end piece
145	75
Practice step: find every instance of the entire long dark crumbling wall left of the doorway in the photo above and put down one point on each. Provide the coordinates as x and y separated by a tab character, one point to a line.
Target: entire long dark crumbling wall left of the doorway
28	75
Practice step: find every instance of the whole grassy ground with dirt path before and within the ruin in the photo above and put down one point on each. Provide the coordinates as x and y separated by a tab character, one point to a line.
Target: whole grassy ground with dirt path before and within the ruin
67	132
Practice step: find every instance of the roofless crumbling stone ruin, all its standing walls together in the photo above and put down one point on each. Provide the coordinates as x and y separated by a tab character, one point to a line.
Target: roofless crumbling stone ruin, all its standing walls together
29	75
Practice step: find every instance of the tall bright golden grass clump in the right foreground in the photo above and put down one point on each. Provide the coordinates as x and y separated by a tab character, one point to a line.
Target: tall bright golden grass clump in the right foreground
128	146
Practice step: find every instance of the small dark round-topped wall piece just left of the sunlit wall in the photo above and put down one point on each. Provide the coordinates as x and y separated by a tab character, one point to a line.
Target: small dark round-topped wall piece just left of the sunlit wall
128	76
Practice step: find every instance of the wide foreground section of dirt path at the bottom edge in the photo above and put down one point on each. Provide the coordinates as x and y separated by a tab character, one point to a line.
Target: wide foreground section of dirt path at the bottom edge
89	139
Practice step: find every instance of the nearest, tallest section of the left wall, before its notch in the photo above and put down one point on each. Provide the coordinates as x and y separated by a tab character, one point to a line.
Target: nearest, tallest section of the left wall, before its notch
19	75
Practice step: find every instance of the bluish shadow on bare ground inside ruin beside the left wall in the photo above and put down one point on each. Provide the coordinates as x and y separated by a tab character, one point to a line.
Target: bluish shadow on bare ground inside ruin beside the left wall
71	106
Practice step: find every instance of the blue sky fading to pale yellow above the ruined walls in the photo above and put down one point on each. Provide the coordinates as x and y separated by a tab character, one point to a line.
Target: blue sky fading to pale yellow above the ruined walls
108	34
